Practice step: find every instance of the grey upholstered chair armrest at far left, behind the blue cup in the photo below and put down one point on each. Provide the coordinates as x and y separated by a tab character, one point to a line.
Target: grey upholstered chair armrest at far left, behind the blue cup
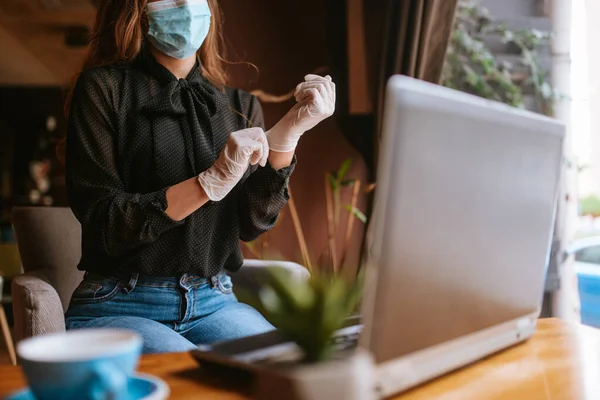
36	306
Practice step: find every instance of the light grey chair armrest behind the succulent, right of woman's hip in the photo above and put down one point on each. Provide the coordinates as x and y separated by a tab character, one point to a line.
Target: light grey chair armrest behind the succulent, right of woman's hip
253	272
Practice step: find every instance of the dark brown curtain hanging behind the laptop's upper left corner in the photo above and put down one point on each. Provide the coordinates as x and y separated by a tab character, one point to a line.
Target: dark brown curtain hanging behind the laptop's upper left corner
407	37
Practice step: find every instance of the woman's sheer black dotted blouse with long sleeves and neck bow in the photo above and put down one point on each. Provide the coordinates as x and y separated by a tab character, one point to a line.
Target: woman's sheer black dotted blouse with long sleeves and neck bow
135	130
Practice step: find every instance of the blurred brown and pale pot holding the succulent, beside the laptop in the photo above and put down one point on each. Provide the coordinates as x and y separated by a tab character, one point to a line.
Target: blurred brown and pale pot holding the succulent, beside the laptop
348	376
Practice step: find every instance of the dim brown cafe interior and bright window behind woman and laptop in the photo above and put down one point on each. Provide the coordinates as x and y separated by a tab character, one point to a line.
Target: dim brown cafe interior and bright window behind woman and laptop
360	44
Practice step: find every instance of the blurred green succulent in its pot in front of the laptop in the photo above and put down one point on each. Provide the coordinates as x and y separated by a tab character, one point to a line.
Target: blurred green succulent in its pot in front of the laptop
309	313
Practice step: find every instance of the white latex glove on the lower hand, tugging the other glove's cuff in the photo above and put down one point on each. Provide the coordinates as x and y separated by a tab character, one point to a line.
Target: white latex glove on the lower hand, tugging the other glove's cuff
243	148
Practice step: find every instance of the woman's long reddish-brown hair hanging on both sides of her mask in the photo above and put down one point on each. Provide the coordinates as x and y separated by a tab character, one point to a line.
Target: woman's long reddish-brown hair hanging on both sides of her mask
118	37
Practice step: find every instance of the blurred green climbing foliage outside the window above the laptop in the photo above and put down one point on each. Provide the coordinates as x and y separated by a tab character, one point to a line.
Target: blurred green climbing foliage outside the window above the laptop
471	67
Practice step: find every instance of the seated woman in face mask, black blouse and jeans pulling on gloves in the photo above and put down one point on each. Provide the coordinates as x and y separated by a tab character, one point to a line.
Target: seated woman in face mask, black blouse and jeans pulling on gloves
167	169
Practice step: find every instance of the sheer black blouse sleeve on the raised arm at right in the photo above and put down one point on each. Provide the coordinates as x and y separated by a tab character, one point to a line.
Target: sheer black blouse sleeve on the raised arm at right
265	192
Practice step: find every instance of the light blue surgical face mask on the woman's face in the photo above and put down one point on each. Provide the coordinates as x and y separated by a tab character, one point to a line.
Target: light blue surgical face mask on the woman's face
178	27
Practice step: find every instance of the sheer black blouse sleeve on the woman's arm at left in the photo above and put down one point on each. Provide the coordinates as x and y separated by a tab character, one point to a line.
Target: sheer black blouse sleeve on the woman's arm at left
113	219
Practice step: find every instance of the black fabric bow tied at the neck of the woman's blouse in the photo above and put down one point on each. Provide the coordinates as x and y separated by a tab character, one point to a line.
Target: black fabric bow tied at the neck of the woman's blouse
200	101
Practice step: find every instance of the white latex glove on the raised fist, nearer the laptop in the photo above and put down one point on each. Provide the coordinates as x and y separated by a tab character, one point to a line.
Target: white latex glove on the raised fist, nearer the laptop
316	102
